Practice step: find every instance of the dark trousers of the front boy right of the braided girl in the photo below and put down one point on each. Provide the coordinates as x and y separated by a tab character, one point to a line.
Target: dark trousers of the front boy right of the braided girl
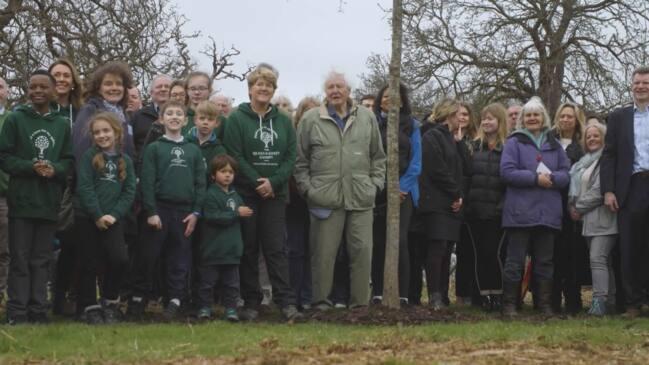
177	254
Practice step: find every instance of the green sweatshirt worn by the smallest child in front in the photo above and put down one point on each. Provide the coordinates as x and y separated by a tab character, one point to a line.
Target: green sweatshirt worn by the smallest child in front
221	242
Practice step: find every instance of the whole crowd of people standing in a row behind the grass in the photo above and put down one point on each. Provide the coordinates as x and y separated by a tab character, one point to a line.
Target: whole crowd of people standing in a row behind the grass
183	198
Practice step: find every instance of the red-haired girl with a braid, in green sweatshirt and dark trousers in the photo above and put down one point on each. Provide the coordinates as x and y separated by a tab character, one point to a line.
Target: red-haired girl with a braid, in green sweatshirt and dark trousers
104	196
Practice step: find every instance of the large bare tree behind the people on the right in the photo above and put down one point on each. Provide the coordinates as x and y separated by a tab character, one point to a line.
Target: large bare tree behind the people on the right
500	49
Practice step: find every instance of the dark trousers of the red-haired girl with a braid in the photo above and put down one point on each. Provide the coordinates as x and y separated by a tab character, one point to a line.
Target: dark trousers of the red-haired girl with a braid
96	249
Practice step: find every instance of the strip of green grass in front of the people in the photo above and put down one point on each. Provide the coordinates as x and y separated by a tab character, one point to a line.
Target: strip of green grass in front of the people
73	342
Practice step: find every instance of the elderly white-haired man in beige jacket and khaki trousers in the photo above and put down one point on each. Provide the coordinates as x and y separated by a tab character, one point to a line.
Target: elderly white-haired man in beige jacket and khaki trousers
340	167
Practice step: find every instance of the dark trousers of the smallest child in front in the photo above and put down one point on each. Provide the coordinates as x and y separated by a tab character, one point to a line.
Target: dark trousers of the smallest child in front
209	275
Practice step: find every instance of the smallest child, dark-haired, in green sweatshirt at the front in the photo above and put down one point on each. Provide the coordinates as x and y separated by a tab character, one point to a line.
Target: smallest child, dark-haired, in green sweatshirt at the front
221	245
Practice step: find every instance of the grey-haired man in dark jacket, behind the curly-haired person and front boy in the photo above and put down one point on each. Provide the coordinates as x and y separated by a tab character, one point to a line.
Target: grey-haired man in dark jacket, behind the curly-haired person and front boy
143	118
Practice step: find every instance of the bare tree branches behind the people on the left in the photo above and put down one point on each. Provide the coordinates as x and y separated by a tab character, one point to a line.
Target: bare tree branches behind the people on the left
147	34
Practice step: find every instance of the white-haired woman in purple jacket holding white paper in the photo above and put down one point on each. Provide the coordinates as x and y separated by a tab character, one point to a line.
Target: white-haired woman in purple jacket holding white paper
535	168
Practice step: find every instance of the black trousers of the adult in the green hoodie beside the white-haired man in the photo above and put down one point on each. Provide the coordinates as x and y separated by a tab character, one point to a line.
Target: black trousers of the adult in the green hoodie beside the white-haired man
265	232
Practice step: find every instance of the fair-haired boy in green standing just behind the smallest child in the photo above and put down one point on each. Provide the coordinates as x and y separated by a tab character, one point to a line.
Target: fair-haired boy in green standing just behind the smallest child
206	122
